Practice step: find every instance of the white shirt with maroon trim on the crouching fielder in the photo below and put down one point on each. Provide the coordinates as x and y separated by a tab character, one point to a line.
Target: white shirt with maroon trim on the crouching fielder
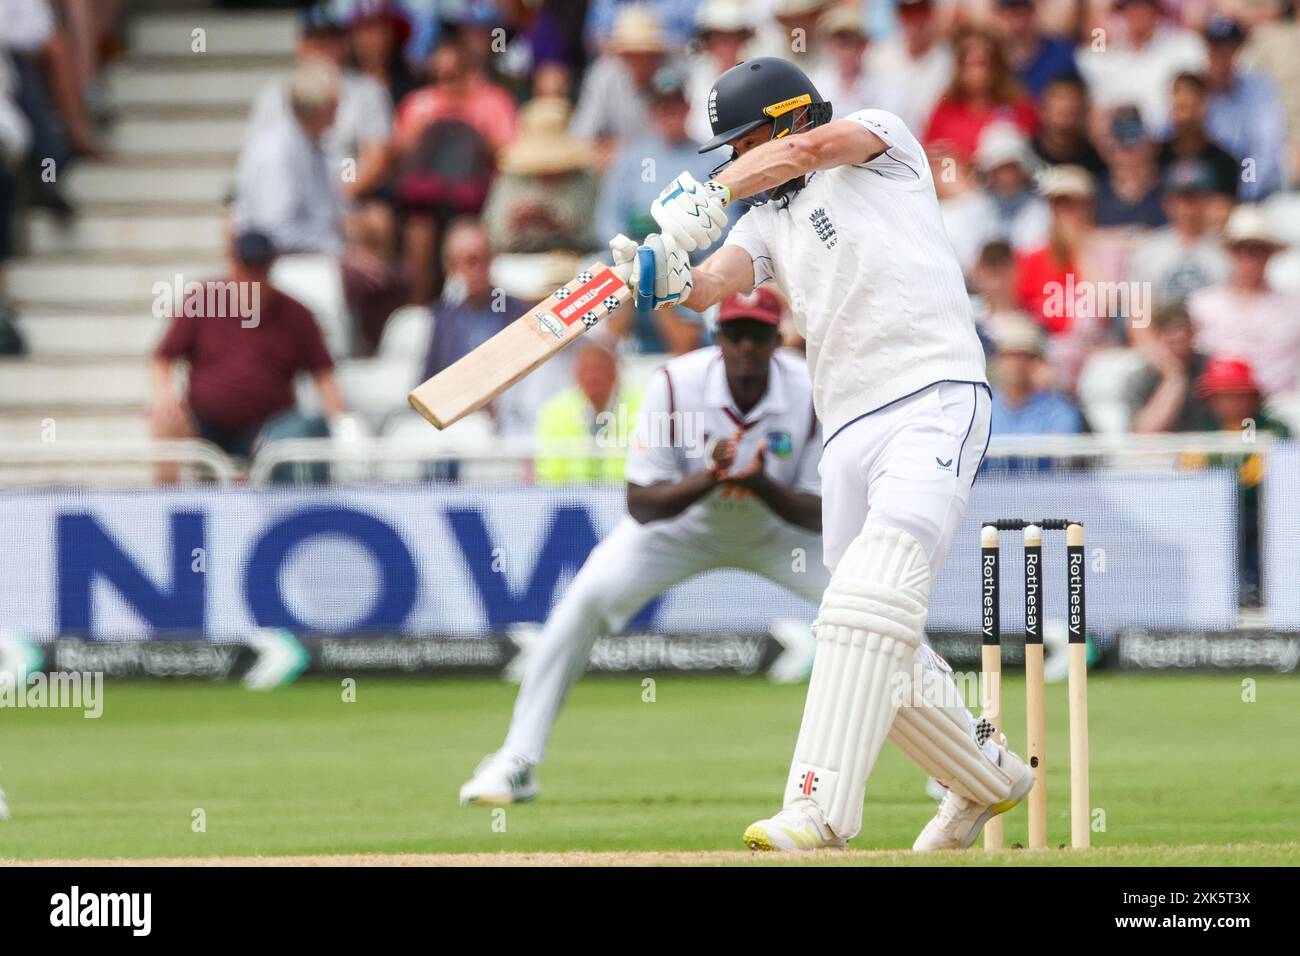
688	406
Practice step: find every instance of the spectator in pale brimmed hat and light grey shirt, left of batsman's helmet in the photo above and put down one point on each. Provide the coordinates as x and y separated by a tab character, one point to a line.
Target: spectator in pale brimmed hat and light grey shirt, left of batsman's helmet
614	105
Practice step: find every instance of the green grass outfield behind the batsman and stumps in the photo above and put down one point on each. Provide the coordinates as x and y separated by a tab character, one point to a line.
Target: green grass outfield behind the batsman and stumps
1184	771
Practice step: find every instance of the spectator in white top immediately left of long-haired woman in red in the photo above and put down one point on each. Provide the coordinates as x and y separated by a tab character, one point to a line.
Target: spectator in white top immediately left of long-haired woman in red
918	63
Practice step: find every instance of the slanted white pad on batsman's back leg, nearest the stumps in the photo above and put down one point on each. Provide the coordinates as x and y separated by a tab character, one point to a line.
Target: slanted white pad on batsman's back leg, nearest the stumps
939	734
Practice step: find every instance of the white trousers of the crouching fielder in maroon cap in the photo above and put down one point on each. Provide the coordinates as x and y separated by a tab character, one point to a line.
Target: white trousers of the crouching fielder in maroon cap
634	565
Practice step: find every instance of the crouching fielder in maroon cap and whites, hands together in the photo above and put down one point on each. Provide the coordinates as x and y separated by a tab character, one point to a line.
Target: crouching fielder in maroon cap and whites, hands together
722	473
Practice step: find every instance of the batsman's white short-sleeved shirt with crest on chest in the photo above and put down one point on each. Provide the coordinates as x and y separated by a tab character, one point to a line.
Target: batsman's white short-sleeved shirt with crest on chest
872	278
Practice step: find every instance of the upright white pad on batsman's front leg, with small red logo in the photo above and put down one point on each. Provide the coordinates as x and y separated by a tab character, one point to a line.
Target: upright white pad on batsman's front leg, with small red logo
868	629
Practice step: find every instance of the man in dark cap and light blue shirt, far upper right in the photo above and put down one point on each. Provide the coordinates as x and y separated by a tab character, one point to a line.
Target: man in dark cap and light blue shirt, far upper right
1245	115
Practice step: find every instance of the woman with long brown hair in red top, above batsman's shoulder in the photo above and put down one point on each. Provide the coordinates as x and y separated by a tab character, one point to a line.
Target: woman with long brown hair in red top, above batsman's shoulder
983	90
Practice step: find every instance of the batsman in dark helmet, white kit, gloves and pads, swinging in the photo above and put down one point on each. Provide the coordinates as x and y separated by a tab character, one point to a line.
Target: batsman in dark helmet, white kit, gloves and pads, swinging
847	223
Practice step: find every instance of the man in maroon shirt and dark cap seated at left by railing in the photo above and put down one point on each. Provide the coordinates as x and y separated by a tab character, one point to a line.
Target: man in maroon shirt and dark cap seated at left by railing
242	365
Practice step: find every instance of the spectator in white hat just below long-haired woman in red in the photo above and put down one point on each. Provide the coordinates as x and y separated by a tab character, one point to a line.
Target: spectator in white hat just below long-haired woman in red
1006	163
